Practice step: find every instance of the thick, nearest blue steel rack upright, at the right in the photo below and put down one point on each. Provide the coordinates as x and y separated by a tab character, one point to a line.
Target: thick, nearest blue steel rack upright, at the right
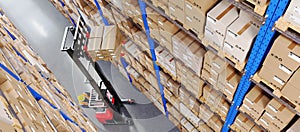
262	43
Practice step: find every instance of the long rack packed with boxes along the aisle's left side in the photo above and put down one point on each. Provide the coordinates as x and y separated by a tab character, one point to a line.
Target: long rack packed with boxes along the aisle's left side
30	94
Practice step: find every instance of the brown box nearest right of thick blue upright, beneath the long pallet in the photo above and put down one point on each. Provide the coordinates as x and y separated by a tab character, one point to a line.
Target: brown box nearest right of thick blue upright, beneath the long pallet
255	102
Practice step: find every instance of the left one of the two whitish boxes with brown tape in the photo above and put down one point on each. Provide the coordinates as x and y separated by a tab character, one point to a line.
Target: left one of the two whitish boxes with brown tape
217	21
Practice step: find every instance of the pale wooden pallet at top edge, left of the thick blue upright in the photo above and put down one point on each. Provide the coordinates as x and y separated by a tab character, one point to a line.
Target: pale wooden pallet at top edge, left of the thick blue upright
259	9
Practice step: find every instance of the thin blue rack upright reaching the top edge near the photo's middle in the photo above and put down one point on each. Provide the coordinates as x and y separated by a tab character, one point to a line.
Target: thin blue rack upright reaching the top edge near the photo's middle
142	5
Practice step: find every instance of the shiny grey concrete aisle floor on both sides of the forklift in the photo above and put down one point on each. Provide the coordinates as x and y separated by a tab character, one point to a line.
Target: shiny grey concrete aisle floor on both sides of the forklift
43	27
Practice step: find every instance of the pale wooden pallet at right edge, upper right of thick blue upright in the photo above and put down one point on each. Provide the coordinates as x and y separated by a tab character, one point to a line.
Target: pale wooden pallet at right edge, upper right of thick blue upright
284	25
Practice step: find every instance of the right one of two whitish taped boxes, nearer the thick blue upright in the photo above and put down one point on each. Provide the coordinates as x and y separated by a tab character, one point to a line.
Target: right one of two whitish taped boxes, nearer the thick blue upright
244	28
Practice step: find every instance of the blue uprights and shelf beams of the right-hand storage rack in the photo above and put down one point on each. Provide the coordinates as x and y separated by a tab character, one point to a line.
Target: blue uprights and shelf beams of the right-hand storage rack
261	46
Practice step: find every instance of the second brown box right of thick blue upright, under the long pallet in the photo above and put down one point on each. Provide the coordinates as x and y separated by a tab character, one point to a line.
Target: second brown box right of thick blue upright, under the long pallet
281	113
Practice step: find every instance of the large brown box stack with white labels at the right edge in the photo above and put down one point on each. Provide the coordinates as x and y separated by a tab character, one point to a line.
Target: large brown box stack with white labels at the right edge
284	61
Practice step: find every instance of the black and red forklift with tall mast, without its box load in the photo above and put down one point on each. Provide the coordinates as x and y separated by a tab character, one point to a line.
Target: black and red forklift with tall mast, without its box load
104	99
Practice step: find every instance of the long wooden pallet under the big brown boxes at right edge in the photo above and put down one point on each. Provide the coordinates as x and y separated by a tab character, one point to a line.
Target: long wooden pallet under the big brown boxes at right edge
277	93
